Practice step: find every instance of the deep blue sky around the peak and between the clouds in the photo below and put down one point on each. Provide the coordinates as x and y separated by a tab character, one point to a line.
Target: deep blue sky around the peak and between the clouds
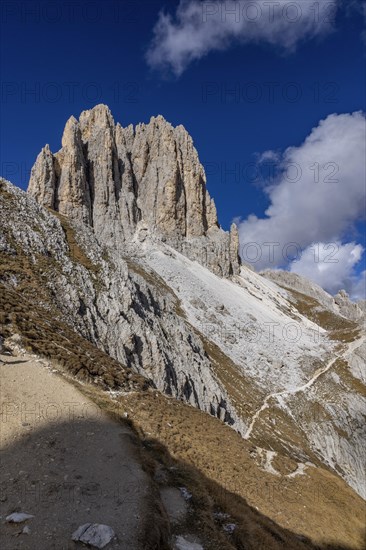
104	59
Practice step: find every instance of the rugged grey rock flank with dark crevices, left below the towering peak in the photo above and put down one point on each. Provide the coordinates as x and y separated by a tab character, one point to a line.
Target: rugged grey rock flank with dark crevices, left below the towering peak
116	305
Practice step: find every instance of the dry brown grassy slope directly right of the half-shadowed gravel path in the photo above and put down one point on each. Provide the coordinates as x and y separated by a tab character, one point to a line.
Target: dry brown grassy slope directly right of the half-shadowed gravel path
217	467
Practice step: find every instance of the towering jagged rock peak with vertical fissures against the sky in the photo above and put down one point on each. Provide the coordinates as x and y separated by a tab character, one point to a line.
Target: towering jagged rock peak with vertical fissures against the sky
125	182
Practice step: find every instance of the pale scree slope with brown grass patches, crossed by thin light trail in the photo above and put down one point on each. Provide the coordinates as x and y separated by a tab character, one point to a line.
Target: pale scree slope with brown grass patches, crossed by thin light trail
301	381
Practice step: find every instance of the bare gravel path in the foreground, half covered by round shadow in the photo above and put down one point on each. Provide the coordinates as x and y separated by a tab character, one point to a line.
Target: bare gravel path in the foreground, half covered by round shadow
64	461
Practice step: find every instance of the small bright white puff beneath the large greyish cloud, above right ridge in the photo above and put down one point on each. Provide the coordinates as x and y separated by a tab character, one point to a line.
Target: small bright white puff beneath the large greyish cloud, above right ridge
330	265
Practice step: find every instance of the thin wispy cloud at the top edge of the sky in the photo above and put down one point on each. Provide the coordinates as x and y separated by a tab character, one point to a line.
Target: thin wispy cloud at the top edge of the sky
199	27
